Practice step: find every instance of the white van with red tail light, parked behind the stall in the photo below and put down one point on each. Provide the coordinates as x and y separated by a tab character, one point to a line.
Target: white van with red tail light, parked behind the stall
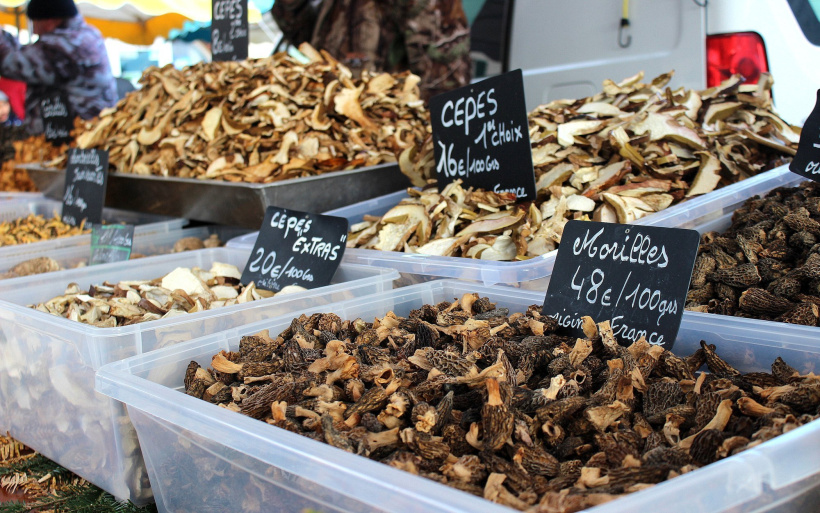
566	48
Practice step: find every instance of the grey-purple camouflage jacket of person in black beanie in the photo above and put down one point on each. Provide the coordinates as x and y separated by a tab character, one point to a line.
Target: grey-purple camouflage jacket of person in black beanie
71	59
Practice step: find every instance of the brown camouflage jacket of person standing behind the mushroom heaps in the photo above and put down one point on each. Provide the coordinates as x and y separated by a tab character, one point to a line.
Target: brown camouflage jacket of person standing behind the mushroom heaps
431	38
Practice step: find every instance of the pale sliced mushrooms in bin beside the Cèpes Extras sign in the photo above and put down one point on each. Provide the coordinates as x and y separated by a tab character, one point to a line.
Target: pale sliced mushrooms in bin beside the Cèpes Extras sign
179	292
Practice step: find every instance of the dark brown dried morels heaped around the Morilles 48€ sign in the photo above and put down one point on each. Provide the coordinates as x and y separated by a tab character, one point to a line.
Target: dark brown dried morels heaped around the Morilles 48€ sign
500	406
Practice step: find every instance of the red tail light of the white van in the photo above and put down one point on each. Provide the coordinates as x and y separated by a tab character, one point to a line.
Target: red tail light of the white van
727	54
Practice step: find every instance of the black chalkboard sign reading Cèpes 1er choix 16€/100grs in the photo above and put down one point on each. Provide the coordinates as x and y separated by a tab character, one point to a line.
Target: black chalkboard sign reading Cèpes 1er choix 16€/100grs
481	136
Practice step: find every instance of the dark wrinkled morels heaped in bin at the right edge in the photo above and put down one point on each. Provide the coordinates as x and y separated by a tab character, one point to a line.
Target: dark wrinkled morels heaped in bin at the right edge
766	265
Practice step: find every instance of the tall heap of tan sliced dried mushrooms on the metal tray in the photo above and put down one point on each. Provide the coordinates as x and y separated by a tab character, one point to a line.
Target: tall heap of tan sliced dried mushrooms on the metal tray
259	120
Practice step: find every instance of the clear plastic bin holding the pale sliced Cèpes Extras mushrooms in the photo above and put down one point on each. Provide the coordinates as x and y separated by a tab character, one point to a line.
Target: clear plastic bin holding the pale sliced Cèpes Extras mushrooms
47	398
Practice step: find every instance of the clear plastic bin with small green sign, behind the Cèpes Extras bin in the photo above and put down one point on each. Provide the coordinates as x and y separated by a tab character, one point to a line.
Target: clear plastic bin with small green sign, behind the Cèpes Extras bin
148	244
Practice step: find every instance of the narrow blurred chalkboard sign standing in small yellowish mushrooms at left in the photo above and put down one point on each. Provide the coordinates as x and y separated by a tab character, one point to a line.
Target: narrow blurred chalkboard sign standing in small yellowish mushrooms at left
86	176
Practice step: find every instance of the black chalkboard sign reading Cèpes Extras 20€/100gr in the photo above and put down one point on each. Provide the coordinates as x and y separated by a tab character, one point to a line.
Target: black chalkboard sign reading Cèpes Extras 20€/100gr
296	248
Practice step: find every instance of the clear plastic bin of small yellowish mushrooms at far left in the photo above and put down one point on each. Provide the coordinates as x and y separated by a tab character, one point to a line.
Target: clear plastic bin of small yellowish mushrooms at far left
144	224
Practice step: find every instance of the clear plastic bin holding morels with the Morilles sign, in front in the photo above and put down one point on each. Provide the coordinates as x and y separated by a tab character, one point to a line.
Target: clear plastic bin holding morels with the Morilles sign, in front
202	457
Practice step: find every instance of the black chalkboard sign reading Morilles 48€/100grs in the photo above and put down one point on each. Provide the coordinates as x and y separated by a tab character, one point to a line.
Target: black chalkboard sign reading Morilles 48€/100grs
636	277
